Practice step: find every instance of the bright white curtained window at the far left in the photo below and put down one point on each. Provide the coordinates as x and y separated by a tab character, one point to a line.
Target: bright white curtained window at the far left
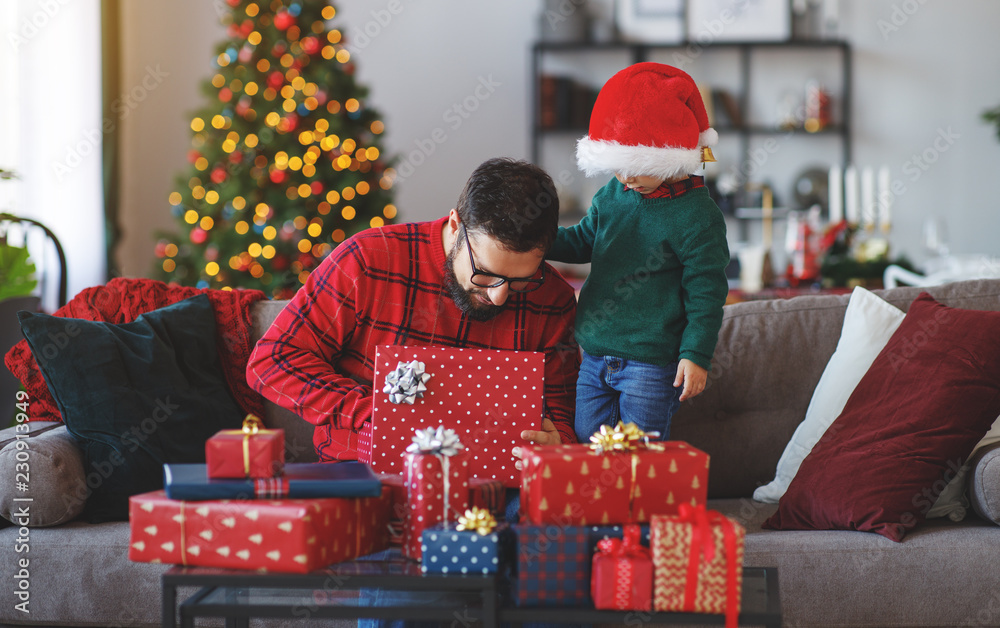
51	131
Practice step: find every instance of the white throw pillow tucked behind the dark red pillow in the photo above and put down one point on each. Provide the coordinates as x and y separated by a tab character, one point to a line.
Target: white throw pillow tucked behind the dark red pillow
868	324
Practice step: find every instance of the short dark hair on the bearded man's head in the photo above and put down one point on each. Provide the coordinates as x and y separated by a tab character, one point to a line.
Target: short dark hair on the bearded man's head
513	202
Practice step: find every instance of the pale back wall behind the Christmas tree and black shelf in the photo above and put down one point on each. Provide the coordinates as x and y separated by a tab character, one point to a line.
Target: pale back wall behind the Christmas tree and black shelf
936	73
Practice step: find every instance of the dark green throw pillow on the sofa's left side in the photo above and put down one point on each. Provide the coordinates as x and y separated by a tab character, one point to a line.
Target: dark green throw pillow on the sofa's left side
134	396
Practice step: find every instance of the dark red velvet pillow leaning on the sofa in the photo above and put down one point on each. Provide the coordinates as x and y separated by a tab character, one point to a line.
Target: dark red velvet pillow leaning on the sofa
928	398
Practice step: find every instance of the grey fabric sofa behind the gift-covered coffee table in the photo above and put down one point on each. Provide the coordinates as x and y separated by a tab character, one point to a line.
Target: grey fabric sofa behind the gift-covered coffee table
769	358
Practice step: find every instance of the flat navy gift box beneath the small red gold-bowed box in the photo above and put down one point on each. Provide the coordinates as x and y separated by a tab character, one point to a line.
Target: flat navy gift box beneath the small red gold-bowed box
301	480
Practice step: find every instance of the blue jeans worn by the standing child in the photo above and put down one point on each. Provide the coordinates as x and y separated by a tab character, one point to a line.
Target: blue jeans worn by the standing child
610	389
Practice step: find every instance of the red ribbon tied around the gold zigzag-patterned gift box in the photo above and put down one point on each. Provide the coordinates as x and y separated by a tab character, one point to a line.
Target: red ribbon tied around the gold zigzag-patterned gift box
703	544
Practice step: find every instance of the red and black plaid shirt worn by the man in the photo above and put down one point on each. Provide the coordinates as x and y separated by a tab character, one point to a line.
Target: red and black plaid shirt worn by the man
386	286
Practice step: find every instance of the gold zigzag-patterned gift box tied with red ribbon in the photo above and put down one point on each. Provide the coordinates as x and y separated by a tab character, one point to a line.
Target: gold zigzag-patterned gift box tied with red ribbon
697	563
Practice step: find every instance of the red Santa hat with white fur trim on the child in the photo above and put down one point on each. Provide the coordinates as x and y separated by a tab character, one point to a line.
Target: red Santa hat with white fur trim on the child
649	120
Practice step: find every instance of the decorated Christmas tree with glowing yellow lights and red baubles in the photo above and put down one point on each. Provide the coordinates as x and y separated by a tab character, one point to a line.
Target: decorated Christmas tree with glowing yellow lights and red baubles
285	158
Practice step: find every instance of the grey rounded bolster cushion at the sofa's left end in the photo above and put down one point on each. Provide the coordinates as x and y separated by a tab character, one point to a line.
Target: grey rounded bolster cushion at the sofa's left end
53	479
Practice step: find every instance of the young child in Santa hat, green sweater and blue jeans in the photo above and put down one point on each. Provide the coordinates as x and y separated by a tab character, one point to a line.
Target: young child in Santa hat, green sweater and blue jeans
650	311
